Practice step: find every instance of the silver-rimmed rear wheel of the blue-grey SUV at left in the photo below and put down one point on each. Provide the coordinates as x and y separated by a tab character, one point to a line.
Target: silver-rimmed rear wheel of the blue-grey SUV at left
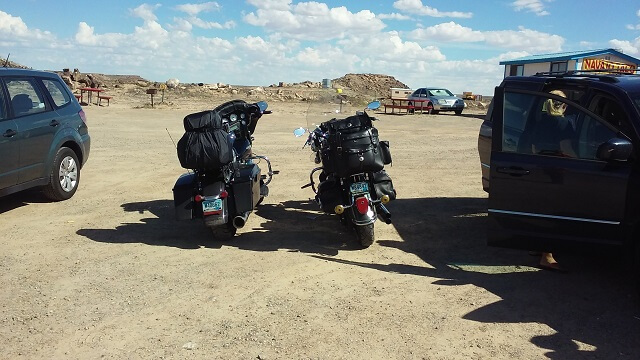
64	177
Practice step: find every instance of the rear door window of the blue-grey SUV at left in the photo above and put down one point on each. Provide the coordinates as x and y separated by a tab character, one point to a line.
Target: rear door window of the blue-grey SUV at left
25	97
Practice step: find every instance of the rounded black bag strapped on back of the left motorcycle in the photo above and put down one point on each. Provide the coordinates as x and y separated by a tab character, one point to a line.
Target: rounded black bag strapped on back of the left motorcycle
204	145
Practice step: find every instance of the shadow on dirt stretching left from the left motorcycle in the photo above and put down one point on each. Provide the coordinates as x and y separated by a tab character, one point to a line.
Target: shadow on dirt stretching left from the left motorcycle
159	228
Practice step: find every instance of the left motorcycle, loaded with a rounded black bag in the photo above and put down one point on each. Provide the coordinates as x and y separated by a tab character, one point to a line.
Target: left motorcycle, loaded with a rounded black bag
225	183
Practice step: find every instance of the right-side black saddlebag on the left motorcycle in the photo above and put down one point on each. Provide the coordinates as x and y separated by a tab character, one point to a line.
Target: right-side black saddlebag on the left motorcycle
245	187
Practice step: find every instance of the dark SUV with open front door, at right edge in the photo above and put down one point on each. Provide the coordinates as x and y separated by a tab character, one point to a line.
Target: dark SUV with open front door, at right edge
560	160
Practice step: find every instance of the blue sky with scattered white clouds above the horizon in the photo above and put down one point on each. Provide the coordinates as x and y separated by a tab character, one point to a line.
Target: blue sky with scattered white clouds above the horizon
453	43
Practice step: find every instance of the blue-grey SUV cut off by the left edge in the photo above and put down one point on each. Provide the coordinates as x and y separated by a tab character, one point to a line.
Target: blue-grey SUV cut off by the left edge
45	140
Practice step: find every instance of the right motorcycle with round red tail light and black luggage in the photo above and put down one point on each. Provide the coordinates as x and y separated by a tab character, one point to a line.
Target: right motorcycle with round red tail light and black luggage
352	180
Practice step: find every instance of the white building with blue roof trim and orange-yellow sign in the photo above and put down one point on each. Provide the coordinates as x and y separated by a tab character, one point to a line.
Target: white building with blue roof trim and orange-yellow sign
567	61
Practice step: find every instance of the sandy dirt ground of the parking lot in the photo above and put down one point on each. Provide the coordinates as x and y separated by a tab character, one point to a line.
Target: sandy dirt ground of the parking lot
110	274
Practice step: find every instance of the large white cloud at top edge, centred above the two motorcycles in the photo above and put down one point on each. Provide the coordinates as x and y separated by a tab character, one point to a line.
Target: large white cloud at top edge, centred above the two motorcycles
312	20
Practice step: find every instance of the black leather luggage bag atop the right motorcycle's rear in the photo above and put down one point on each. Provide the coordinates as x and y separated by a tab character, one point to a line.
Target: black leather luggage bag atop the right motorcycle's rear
353	146
